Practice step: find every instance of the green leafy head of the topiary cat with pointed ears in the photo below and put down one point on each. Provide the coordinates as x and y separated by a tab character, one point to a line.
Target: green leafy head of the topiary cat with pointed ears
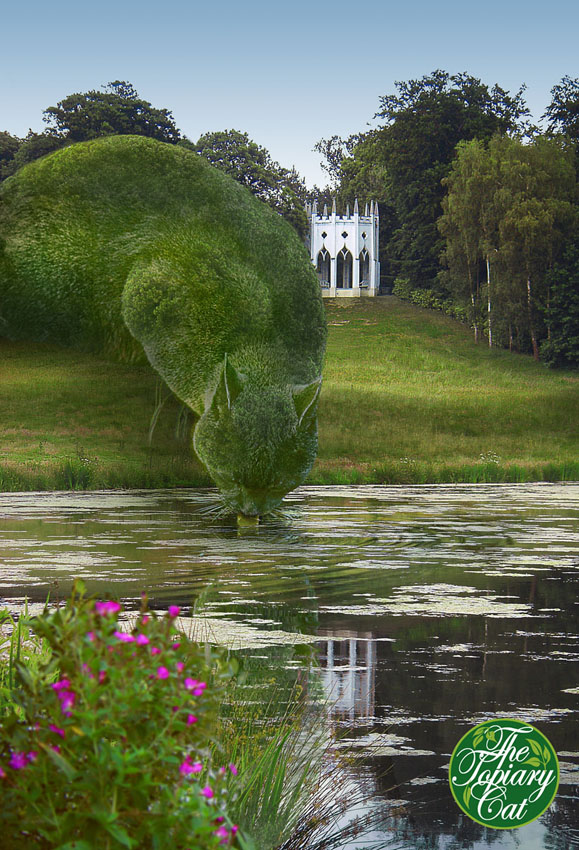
257	441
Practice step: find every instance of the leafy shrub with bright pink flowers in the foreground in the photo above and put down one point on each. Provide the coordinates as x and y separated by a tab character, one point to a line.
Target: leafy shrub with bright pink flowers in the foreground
111	745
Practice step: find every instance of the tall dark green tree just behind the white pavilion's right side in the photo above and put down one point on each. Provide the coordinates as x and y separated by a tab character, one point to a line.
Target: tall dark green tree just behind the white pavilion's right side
405	160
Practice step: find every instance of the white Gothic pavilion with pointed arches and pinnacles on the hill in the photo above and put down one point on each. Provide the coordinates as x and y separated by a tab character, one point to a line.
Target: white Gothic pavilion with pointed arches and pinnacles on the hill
344	249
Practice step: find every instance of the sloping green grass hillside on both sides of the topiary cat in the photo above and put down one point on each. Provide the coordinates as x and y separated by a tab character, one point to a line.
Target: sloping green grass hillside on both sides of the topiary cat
407	397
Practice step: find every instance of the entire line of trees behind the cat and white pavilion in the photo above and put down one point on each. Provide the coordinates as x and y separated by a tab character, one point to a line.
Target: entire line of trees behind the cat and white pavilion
478	207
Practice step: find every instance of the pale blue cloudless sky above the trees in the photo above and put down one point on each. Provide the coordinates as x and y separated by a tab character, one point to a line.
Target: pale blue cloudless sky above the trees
287	74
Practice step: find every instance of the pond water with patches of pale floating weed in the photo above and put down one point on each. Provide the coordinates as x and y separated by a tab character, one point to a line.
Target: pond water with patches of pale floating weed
435	608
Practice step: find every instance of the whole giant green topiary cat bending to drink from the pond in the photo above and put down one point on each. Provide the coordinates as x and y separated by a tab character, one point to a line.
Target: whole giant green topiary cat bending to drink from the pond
125	238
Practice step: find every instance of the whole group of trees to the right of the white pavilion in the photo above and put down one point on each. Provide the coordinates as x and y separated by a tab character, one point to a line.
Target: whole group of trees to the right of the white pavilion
478	207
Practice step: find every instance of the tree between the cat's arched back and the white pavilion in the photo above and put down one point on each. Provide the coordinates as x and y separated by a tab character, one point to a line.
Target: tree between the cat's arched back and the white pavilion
251	165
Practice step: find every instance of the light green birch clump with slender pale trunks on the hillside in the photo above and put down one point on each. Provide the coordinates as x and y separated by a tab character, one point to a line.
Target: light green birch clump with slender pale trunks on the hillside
509	205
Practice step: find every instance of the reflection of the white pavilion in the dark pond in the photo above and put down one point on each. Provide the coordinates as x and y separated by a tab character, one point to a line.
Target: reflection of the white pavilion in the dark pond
349	675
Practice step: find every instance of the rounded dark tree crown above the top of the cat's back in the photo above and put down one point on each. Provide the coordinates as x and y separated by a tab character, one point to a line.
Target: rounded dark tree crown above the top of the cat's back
116	110
